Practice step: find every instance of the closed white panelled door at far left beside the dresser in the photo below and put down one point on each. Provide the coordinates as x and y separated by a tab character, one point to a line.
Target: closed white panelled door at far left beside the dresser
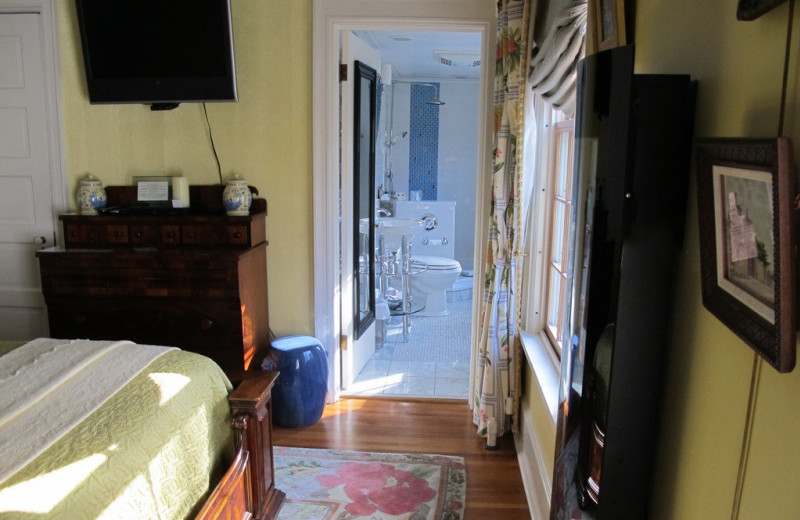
26	186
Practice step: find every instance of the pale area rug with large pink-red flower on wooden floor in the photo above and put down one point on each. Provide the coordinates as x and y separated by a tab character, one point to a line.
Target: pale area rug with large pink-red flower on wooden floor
354	485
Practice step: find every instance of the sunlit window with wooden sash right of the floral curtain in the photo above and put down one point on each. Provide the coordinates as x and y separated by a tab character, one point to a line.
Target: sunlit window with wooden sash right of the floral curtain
547	169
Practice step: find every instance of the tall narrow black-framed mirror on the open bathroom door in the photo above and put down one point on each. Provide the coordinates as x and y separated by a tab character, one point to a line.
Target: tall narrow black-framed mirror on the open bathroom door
364	106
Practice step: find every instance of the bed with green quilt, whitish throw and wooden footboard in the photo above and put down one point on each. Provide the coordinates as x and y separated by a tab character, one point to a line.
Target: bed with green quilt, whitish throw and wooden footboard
94	429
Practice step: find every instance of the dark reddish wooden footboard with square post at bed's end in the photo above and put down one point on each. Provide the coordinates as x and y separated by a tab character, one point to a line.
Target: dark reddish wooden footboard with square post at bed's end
247	491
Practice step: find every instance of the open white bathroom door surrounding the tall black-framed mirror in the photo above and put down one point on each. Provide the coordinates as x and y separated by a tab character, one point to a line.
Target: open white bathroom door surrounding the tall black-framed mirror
355	353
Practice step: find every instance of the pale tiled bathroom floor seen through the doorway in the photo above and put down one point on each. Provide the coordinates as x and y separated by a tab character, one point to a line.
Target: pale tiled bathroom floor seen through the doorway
434	362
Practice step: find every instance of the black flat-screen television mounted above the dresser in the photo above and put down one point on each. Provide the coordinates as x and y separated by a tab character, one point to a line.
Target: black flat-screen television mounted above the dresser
157	52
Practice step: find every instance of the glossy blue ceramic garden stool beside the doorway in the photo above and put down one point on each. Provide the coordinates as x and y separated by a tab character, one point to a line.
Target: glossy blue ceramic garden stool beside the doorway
298	396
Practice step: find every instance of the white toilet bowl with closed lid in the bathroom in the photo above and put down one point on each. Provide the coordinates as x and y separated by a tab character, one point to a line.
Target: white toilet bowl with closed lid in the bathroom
432	276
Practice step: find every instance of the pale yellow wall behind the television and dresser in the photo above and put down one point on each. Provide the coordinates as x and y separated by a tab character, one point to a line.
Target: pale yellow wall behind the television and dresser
266	137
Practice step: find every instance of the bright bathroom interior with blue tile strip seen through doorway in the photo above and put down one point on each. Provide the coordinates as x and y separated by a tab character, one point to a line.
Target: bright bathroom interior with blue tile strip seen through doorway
426	170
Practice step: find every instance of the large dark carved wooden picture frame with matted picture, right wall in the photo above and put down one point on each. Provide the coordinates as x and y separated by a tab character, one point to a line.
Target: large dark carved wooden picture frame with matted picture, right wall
746	213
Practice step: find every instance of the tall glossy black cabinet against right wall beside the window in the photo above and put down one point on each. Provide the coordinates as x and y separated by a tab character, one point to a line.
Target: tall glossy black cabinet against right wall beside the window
634	137
